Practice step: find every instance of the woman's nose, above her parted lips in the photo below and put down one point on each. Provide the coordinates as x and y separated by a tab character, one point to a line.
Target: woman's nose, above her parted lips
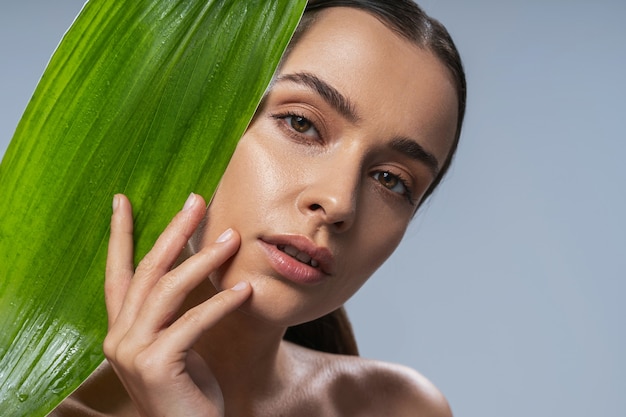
330	197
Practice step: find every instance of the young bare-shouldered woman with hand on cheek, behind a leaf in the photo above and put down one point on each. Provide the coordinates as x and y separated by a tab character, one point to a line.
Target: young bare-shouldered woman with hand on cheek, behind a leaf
358	127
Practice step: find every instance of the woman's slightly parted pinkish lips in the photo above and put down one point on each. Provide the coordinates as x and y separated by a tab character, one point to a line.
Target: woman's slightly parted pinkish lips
298	259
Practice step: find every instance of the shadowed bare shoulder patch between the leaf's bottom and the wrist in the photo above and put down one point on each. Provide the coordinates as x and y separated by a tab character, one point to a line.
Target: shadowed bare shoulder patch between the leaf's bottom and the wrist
102	394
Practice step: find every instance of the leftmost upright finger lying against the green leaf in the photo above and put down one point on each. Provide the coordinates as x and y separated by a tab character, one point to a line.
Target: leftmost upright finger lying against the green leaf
119	266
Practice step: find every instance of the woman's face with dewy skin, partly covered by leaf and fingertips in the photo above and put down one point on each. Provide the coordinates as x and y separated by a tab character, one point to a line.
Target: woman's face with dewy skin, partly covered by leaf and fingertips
326	179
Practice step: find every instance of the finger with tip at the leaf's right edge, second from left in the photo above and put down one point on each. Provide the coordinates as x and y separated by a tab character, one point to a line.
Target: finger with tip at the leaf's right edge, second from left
160	258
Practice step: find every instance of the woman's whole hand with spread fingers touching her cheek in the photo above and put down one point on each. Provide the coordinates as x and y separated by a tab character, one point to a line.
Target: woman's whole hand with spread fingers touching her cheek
149	344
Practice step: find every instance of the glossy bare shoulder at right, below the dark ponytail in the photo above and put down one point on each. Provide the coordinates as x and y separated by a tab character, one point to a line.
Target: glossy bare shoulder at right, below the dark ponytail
365	387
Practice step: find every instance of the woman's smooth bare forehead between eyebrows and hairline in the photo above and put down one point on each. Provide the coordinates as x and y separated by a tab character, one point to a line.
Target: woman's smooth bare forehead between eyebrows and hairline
385	78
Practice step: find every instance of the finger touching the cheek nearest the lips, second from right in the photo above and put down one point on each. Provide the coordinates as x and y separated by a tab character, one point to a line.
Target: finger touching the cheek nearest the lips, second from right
162	305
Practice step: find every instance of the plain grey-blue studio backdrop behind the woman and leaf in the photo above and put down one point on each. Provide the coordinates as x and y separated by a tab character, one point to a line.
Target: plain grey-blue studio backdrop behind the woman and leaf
508	289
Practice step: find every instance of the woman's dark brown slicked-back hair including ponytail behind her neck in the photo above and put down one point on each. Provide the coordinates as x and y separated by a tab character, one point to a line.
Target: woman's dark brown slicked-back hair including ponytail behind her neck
333	332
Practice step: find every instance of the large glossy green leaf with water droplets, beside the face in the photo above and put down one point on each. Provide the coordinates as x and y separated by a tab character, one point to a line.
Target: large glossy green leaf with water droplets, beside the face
144	97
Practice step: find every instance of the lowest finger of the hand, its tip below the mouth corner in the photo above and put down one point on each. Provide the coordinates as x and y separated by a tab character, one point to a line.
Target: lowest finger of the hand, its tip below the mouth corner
184	332
